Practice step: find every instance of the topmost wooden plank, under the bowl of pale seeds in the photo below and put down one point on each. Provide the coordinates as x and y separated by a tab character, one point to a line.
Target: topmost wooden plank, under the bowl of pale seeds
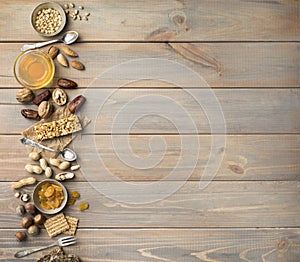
232	20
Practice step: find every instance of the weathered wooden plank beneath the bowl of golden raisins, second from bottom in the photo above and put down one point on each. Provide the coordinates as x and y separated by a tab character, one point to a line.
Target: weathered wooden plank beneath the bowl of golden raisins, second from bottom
220	204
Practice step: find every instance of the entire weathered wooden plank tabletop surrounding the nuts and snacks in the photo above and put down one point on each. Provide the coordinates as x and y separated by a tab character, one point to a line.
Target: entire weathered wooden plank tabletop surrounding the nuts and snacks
248	54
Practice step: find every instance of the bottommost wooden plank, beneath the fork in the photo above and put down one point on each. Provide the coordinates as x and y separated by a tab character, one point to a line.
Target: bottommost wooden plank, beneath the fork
226	245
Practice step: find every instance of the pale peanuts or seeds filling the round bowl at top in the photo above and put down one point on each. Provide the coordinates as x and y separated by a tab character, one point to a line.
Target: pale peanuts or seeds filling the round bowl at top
48	21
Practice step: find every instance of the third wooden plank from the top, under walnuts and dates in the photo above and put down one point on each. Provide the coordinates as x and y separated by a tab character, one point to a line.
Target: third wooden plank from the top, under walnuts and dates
165	111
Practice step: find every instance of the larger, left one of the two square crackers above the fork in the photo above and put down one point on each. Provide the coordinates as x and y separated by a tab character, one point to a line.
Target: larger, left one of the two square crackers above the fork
56	225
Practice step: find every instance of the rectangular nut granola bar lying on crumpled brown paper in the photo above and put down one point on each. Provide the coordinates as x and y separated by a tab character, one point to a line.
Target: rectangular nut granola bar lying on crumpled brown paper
57	128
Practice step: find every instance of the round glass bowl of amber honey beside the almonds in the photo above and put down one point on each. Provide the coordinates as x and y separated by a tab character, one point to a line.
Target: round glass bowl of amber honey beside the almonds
34	69
